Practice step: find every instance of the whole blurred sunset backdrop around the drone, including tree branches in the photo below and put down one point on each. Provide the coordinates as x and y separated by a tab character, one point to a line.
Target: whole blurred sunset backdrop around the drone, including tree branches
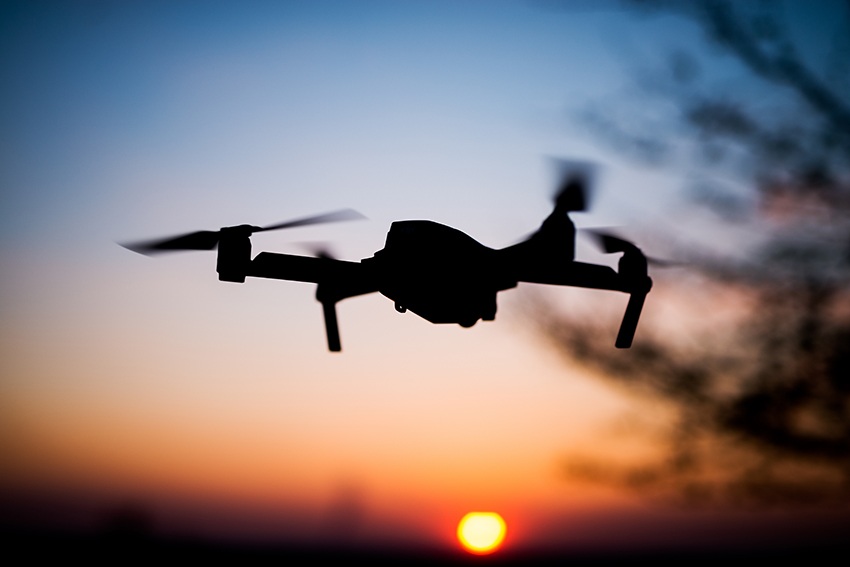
142	394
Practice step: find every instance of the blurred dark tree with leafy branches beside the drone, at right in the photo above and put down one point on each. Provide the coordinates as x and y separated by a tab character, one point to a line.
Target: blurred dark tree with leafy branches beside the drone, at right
762	399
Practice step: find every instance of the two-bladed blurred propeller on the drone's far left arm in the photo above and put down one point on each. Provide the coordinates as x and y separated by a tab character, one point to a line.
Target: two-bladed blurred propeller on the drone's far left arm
208	240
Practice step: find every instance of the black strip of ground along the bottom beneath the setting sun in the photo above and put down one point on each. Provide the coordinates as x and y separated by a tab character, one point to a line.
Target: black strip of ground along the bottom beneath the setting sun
35	546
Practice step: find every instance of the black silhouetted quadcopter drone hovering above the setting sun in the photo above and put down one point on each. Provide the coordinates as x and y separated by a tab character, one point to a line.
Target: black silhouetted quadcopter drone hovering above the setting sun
433	270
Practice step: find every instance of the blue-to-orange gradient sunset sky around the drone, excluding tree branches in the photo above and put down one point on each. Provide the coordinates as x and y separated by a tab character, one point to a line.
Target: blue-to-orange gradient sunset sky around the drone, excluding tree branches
216	406
